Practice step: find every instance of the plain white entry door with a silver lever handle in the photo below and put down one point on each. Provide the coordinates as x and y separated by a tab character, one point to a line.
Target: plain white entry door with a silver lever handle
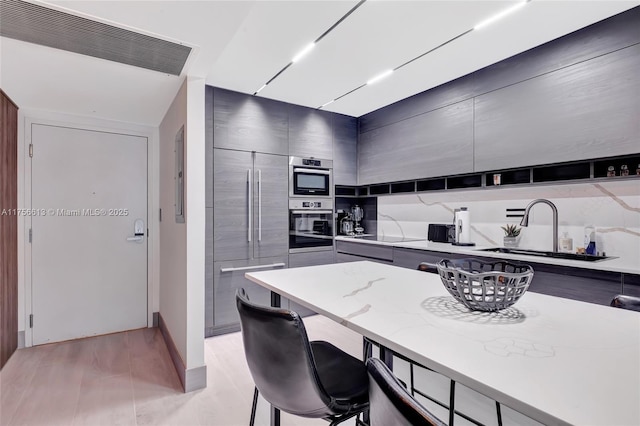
87	190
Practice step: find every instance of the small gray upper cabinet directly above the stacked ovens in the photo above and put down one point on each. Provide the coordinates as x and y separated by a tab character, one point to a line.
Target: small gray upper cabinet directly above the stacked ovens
310	133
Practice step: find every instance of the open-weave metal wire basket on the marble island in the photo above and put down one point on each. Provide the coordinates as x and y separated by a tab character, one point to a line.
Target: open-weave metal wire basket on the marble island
485	286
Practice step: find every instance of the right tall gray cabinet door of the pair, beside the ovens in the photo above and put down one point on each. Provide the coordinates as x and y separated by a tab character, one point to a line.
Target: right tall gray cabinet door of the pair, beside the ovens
270	201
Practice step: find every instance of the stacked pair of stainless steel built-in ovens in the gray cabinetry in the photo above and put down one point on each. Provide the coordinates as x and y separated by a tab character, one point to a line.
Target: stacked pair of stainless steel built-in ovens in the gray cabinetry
310	205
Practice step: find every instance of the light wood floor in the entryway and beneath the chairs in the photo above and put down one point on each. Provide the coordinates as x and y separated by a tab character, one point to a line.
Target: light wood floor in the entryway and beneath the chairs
128	379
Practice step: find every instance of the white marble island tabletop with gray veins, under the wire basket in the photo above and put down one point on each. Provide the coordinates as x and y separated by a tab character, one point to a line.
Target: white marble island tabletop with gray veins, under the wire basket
555	360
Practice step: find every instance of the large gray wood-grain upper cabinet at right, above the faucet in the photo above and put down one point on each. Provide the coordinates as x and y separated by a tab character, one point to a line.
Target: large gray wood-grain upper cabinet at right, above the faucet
584	111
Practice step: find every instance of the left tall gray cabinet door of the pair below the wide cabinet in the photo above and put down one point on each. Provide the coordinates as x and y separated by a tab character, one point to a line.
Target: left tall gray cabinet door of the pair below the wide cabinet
232	174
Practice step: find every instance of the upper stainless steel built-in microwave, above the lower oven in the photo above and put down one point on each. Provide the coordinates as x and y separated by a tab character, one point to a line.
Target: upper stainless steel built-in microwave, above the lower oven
310	177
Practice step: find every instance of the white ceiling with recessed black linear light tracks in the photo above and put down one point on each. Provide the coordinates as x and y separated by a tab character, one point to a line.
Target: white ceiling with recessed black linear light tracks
240	45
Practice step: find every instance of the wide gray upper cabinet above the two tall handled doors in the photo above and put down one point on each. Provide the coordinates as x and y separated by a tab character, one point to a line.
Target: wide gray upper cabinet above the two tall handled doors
249	123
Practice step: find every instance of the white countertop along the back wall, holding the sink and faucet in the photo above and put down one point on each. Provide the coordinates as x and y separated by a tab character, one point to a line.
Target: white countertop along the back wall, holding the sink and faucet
613	264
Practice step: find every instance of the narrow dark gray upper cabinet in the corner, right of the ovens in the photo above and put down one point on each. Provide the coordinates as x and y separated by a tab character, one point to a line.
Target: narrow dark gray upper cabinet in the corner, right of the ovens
345	150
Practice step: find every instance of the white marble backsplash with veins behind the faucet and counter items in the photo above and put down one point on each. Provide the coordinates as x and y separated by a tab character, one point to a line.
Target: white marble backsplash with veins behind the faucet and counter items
613	208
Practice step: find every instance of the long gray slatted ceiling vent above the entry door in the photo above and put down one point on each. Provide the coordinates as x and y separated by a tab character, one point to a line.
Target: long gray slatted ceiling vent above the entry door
33	23
